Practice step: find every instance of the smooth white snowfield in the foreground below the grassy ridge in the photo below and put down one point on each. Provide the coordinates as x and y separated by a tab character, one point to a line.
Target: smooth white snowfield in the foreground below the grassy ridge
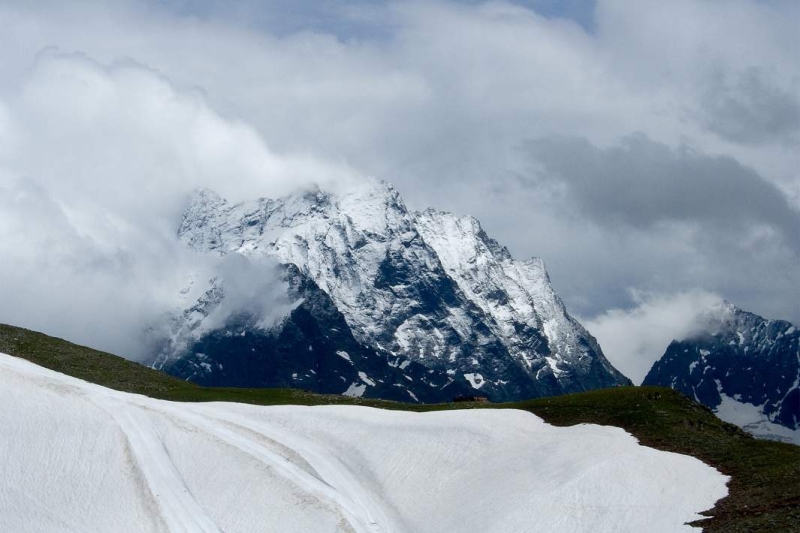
80	457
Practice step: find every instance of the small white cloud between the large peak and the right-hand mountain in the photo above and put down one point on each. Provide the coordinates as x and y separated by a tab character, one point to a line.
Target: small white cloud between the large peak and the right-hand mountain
633	339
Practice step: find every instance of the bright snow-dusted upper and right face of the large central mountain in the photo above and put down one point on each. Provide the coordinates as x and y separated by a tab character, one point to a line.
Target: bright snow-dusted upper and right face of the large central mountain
429	288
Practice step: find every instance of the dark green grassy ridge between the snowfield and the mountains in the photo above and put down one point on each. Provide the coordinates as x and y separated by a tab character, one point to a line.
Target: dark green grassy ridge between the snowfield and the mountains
764	492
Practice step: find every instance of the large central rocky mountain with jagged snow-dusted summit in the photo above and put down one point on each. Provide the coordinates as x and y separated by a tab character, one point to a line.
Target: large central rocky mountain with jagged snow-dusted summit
427	304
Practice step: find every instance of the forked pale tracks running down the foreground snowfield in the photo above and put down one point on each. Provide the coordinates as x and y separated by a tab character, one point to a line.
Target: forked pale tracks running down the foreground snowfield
179	509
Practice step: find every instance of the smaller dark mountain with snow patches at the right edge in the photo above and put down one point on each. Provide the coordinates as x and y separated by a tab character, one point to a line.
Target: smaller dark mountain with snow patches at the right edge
743	366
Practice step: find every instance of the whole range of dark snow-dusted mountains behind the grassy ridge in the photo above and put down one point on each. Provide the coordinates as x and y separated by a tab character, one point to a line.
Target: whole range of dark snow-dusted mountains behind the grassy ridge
381	302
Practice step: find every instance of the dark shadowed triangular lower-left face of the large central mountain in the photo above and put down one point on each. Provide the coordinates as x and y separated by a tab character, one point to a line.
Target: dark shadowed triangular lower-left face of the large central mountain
312	348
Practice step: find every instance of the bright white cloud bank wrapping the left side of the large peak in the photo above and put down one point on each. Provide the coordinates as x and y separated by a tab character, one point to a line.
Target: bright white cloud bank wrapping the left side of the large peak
103	160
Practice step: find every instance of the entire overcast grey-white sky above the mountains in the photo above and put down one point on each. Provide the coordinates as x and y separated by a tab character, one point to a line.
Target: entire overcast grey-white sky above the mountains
647	150
